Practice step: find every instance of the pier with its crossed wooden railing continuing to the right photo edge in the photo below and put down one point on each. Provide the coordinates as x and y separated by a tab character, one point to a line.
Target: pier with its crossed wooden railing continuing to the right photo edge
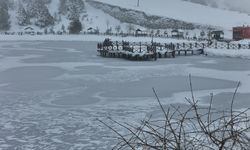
153	50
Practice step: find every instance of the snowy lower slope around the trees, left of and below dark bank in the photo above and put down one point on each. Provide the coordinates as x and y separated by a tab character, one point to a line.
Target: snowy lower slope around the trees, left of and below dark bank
90	18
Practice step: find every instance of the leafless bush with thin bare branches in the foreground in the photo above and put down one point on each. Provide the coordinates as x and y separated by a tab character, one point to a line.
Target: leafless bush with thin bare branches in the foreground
189	129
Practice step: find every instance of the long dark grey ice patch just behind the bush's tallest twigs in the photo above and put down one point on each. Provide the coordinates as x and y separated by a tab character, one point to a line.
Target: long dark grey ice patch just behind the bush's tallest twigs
165	86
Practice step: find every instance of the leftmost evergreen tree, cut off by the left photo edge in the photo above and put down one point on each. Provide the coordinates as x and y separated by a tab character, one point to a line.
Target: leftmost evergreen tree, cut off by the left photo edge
4	15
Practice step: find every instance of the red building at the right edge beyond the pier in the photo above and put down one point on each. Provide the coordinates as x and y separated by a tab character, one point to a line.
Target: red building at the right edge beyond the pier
240	33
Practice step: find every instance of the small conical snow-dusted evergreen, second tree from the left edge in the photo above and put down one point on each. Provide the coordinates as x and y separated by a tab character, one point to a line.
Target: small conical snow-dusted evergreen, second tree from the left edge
22	16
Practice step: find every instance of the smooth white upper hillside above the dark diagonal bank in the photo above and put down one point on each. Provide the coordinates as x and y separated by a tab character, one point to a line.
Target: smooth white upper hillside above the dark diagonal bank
186	11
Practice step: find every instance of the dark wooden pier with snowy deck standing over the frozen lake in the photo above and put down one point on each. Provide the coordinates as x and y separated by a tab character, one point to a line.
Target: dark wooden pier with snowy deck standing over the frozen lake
147	51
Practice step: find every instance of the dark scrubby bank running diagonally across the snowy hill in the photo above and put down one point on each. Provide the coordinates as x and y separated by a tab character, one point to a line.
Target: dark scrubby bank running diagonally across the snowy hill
143	19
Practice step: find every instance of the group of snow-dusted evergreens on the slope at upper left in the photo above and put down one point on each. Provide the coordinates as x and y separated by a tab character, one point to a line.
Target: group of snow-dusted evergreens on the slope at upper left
36	12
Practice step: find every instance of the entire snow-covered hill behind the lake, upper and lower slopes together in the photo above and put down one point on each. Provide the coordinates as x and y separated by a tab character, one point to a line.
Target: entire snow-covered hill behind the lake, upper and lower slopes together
177	13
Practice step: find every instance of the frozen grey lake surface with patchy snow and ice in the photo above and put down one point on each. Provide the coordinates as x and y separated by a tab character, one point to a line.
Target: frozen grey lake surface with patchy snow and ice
51	93
